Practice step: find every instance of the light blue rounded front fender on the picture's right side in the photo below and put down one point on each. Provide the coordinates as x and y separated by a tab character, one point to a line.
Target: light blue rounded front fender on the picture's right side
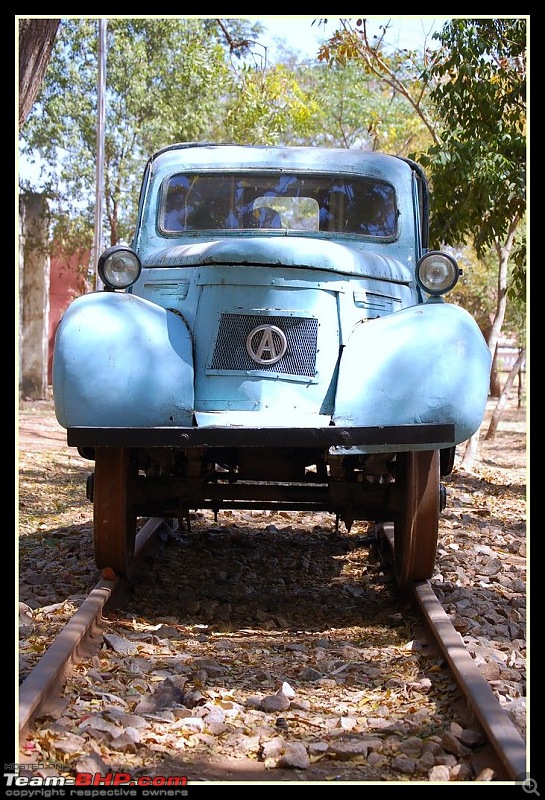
424	364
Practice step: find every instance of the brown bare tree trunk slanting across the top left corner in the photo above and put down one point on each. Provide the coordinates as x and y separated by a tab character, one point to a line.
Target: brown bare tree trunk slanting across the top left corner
36	40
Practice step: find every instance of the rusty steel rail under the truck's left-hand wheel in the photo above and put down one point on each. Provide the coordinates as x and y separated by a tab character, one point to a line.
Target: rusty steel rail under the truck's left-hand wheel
53	665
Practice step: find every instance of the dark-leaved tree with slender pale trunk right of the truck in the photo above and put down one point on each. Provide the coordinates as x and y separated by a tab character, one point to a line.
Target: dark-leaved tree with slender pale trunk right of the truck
470	95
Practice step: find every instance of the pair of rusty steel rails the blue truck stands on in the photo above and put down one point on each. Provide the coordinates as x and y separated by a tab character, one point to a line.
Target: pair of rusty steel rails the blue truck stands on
504	740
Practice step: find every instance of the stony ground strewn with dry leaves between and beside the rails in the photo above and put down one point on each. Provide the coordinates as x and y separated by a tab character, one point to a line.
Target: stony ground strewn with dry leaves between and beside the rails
265	646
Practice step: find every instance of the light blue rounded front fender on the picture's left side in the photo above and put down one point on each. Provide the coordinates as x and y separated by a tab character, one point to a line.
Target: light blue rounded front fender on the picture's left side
120	360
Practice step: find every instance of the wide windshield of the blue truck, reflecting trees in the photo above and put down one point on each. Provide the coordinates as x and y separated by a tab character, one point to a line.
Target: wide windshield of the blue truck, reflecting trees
364	206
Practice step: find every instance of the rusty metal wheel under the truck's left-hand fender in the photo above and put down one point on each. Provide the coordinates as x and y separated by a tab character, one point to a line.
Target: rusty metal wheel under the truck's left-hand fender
114	516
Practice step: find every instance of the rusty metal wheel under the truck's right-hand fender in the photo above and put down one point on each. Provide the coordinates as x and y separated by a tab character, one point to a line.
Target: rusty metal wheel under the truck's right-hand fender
417	517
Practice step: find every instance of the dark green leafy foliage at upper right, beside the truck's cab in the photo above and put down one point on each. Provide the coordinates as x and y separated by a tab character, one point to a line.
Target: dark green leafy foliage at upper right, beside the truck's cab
478	168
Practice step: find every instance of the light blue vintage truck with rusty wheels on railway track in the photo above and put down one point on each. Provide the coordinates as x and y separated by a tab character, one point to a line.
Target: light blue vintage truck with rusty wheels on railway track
275	337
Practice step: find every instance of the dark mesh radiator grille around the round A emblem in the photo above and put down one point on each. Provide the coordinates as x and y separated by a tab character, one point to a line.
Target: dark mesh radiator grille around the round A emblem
299	359
